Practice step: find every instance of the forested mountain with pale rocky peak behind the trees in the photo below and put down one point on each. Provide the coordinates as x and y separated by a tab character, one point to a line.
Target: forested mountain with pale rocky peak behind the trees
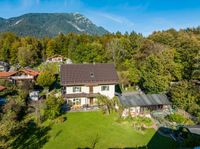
49	24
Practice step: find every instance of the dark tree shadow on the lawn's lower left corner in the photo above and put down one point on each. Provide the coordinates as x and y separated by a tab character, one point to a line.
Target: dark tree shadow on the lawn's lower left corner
31	137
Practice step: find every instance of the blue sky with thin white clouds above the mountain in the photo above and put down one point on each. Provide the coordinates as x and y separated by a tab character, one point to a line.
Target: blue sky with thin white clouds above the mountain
143	16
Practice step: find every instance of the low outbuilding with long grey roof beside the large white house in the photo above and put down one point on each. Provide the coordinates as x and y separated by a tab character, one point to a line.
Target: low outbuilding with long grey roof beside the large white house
137	104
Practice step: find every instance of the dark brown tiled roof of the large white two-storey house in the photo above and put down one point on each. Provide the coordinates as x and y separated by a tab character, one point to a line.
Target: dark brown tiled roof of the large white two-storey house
82	74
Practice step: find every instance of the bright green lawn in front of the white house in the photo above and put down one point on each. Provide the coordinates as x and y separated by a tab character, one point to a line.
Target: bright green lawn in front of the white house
80	130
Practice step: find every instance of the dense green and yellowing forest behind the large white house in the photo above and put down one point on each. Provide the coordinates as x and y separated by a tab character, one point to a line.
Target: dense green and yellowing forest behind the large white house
164	62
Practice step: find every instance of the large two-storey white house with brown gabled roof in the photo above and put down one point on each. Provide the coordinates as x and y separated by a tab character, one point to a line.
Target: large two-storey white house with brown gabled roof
82	83
